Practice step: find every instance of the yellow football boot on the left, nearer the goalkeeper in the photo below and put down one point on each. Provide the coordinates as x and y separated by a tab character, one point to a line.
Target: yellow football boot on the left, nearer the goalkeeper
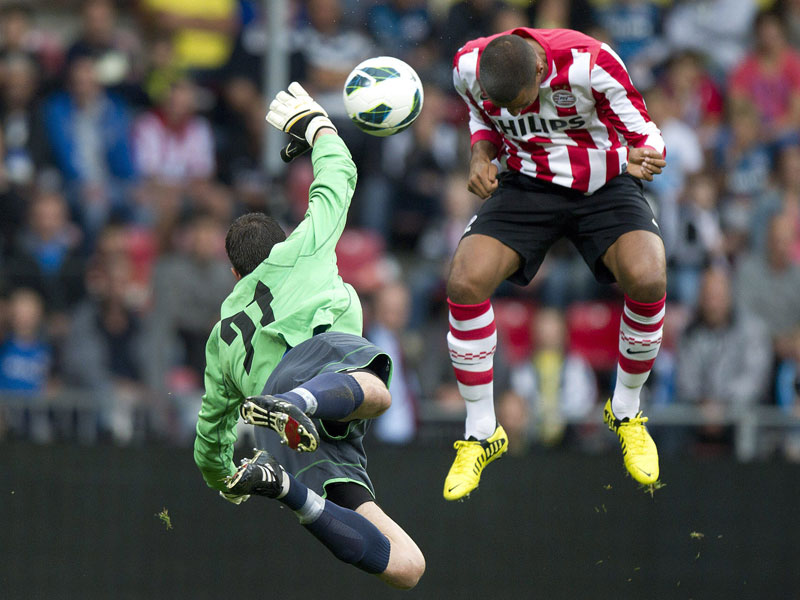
471	457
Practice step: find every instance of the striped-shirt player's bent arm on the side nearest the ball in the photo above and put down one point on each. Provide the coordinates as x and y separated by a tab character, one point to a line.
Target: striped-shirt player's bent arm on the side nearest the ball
485	139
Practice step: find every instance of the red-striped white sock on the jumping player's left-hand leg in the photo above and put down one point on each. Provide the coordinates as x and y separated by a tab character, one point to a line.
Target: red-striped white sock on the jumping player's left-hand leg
472	341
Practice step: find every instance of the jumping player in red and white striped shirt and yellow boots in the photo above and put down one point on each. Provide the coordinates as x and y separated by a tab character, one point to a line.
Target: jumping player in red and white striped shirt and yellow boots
557	110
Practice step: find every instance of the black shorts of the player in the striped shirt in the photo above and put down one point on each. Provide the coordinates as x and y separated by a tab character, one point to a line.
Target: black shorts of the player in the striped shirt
529	215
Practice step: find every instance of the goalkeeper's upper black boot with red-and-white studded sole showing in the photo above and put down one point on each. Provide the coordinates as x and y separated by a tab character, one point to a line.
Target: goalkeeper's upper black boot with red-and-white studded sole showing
296	428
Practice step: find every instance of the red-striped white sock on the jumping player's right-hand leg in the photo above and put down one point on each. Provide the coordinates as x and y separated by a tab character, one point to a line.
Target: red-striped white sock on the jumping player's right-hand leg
639	341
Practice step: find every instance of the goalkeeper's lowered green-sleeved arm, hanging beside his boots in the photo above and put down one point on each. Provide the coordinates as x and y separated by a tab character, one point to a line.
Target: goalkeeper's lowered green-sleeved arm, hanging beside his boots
216	423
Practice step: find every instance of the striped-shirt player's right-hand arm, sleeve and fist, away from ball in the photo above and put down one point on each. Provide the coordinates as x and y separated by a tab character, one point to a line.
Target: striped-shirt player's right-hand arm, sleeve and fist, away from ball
622	104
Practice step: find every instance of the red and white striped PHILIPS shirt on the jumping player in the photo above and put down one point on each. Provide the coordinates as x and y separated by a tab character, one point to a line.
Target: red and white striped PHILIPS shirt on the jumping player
577	132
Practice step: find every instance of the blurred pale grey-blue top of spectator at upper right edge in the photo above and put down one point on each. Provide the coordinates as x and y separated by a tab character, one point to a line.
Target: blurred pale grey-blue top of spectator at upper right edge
718	29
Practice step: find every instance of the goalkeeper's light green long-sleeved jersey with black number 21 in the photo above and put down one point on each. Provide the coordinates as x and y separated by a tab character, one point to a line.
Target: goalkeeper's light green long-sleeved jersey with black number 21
295	293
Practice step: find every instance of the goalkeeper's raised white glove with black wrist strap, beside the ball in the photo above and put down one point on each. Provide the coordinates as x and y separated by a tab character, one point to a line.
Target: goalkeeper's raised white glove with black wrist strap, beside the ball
296	113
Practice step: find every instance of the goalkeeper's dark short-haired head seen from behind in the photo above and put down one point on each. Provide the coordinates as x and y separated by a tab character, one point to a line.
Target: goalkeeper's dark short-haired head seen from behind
250	240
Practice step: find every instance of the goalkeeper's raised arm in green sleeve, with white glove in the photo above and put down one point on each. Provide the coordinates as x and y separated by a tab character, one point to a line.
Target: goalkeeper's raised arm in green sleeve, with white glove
335	173
